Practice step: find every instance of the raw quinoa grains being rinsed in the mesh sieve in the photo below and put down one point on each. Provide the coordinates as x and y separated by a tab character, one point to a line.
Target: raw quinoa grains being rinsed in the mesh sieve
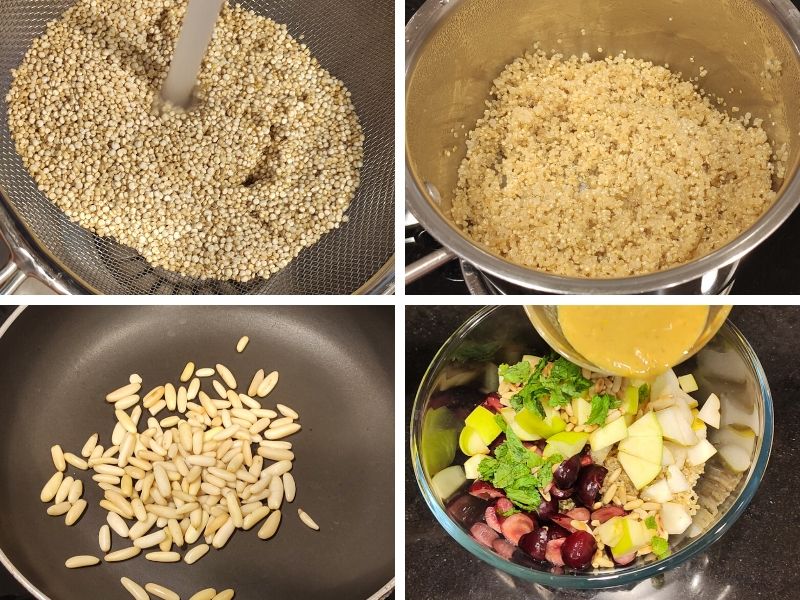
265	165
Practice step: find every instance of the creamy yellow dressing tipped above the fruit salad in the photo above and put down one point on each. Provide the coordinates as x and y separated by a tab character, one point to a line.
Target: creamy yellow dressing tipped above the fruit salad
633	341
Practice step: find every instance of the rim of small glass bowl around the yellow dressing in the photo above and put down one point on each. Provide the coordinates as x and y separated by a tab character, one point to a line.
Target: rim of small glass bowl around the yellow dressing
545	320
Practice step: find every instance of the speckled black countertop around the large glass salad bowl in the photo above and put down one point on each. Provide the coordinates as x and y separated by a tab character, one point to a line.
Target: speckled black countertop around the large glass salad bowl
755	559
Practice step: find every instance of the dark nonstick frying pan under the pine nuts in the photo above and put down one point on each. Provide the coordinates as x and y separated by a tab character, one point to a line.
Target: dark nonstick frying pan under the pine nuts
336	369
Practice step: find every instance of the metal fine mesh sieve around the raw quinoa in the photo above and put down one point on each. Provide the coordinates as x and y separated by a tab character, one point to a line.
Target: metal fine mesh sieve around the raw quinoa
351	39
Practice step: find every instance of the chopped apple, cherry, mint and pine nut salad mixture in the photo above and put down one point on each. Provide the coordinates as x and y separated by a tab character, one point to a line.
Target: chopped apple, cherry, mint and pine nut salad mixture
578	470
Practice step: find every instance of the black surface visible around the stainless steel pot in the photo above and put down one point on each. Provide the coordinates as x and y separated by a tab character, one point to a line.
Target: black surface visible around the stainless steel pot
769	269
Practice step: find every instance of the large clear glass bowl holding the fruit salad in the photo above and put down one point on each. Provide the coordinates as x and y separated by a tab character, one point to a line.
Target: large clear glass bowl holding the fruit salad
464	369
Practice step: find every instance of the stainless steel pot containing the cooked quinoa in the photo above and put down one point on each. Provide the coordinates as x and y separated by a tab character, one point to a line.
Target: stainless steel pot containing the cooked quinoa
456	48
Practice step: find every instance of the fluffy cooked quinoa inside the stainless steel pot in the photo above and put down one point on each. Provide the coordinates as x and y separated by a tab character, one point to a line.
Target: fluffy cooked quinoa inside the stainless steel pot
607	168
